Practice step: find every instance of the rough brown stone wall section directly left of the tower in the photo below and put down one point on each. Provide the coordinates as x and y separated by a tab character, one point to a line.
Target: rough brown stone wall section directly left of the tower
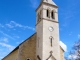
28	49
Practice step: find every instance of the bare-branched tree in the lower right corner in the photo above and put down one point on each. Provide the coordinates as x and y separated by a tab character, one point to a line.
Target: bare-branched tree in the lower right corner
75	52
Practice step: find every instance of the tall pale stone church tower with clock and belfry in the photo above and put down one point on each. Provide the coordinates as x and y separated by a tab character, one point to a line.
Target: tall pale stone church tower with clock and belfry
47	28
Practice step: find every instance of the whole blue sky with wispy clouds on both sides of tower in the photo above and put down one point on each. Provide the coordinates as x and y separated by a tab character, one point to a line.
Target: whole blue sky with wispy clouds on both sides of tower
18	20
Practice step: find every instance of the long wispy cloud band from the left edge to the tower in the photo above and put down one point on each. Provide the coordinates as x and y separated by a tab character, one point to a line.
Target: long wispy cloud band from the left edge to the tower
13	25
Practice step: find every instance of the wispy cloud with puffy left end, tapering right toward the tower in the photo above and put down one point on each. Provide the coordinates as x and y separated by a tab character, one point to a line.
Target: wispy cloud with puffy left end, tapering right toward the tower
13	24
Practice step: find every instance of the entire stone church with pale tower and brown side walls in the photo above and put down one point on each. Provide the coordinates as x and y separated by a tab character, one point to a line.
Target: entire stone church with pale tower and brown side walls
44	44
